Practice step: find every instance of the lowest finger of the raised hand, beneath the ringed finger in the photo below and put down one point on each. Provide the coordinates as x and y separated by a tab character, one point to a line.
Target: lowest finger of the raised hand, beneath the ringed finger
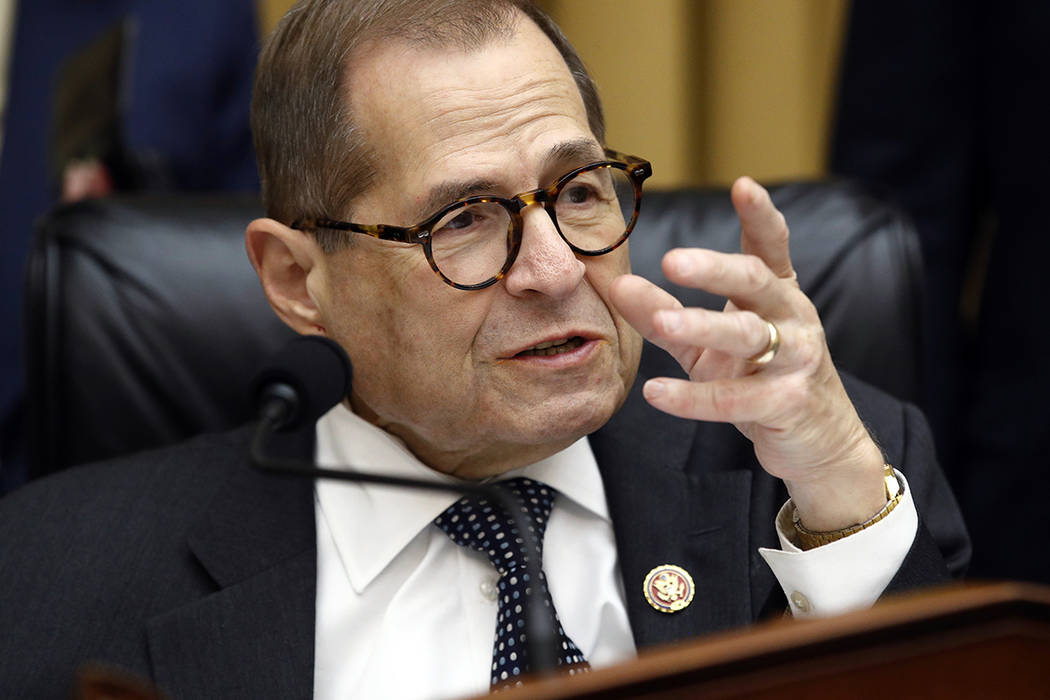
733	400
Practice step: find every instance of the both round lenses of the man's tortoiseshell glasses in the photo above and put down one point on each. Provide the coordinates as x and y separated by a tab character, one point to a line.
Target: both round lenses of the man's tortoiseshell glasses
471	244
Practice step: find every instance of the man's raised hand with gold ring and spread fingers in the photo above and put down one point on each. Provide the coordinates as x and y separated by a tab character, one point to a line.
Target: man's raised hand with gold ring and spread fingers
789	399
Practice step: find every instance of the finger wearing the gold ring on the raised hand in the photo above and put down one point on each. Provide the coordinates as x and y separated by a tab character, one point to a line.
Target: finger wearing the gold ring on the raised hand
741	334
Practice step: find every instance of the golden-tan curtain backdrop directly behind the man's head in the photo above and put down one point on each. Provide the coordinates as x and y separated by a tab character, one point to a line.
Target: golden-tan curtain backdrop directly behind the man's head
707	90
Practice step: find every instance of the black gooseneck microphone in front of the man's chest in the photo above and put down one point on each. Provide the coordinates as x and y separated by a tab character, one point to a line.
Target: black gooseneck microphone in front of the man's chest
303	383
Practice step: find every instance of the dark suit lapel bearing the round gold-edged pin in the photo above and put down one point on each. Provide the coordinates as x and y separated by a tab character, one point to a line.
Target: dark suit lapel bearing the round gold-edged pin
675	500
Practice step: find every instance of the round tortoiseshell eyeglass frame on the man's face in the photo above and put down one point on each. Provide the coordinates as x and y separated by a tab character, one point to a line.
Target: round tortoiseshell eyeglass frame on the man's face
638	171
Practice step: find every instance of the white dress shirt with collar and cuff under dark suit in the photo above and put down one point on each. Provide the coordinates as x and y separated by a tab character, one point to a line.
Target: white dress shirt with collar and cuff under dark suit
404	612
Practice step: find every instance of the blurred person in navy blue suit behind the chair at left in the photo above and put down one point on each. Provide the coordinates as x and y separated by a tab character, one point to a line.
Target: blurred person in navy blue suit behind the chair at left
109	97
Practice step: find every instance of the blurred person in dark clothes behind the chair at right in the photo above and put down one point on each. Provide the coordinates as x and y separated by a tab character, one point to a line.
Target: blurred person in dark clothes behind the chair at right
943	109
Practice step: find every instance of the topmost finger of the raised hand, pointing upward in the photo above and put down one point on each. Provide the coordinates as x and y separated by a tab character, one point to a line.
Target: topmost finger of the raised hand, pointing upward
764	230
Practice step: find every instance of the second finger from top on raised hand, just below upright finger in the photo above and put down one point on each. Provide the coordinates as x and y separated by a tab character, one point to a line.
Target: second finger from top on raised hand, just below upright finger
745	280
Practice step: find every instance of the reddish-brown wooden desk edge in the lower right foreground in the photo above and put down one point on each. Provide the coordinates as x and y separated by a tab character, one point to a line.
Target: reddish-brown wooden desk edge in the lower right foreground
989	641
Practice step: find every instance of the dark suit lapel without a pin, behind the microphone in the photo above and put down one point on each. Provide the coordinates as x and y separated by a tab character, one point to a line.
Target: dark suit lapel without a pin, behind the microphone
255	638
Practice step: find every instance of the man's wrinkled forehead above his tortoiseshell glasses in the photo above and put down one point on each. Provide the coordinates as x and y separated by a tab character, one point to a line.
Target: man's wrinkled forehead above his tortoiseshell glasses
496	112
